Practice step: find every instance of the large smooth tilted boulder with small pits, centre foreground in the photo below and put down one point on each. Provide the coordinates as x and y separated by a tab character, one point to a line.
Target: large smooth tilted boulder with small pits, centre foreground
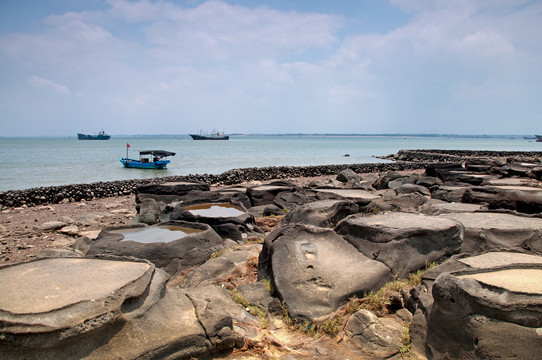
315	271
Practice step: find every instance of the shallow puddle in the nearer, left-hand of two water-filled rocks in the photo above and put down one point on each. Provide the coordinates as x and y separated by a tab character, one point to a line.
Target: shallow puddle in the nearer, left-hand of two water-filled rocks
156	234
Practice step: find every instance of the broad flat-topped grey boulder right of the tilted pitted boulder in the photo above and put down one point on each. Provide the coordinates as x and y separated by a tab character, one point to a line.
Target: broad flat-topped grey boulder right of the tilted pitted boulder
405	242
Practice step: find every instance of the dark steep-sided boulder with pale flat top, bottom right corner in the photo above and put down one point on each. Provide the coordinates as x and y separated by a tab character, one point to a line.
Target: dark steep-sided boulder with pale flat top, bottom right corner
474	312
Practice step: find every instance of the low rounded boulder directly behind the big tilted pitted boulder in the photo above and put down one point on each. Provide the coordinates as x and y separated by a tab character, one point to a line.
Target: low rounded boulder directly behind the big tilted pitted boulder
324	213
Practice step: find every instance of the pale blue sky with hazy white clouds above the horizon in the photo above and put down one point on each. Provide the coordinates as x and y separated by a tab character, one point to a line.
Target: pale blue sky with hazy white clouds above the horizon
270	66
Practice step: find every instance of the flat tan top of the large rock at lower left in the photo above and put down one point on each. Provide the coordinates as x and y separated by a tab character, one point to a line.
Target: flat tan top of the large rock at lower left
54	284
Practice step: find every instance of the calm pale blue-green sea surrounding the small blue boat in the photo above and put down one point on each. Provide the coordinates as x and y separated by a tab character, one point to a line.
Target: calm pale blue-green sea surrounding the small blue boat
47	161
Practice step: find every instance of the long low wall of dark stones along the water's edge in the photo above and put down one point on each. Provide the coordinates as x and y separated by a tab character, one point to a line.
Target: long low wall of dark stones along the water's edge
404	160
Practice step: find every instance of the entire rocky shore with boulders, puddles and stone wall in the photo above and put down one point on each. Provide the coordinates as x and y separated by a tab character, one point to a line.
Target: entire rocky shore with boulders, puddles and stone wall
440	260
